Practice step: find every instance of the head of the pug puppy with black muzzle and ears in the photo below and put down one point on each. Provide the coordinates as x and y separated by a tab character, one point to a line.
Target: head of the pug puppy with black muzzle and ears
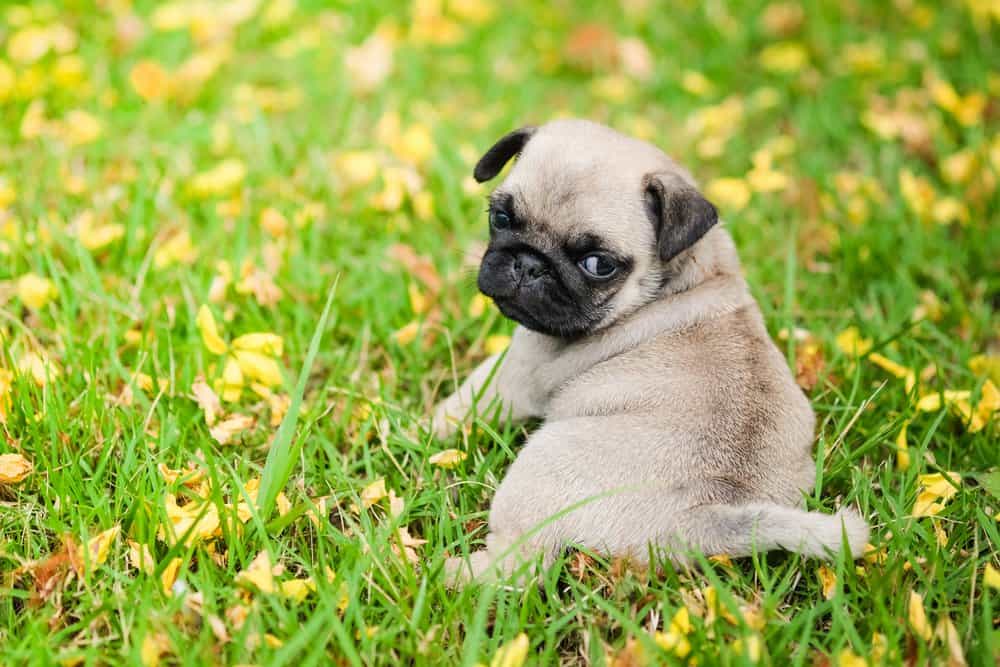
588	226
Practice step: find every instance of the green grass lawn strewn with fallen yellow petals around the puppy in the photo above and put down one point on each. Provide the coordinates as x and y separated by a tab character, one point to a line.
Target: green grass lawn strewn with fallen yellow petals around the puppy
237	260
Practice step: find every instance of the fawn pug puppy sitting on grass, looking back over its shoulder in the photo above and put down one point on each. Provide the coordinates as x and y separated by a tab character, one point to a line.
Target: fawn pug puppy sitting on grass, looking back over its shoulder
671	420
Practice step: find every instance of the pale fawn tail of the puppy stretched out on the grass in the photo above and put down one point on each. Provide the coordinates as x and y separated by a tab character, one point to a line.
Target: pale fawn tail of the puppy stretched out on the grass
739	530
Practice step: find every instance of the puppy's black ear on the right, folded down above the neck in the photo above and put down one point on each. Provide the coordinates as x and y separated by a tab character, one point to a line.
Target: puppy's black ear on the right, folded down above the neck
680	214
